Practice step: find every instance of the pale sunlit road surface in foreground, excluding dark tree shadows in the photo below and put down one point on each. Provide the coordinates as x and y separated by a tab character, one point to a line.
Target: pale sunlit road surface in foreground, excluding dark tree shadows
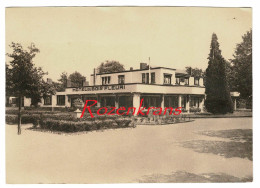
121	155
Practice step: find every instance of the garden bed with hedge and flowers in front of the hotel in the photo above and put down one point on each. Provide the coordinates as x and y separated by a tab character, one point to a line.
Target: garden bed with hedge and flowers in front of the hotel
67	121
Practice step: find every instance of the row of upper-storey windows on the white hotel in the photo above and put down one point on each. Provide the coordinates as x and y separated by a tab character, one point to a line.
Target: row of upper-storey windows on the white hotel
145	79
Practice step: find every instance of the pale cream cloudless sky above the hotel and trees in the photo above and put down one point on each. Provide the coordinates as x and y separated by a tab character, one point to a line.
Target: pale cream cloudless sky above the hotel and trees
80	38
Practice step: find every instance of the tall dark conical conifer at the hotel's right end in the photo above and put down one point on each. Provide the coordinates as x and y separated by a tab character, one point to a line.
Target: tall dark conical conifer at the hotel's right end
218	99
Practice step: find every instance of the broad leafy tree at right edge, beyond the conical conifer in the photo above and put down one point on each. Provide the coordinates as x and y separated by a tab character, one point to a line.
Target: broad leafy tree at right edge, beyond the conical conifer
242	66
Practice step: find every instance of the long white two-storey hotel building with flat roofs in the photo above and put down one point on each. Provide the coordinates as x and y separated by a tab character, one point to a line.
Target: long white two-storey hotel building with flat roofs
157	86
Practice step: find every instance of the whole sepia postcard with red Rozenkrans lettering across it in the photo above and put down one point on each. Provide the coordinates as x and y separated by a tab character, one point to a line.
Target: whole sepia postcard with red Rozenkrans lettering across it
99	95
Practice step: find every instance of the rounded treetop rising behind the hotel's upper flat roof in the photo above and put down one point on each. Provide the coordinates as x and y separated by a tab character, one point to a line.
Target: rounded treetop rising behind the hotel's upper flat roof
110	66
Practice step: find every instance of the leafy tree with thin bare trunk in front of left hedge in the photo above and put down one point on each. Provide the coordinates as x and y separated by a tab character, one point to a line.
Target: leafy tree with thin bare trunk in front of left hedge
23	79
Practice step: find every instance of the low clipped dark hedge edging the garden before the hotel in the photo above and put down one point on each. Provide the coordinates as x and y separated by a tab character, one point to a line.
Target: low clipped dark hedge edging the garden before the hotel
67	122
